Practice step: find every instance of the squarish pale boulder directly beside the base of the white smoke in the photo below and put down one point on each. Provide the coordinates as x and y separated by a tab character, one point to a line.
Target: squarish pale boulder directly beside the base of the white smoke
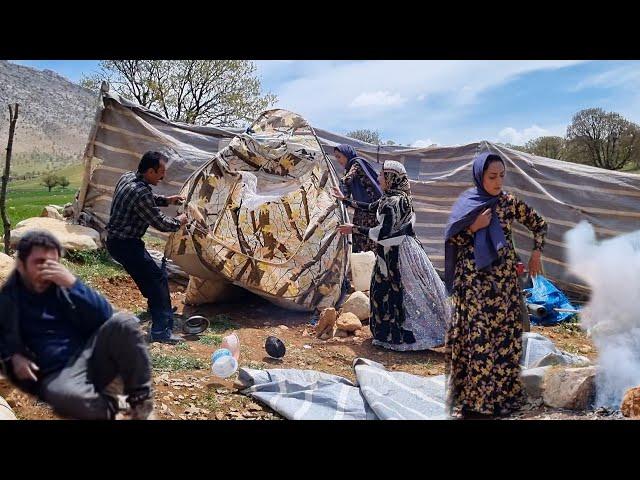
569	388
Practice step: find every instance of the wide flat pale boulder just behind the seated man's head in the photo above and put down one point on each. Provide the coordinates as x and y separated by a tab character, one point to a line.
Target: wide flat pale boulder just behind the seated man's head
71	237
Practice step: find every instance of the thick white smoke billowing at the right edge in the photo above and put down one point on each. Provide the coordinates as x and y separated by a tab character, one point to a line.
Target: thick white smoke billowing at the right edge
612	270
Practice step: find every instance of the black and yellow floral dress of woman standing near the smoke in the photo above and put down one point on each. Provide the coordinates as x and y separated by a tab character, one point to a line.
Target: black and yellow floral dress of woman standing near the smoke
484	339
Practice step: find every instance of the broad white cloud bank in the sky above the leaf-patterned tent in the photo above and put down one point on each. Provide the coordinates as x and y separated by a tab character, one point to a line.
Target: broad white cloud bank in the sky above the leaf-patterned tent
385	95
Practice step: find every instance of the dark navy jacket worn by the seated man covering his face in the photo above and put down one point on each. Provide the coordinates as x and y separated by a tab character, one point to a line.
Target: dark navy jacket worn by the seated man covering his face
50	329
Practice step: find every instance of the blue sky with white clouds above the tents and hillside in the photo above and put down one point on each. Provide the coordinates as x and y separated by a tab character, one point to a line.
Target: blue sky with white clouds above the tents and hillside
443	102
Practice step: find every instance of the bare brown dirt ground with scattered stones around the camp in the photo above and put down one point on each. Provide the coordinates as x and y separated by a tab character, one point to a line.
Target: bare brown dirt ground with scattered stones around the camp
185	388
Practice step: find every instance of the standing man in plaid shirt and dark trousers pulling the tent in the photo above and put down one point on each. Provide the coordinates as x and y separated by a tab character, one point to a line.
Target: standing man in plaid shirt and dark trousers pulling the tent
134	208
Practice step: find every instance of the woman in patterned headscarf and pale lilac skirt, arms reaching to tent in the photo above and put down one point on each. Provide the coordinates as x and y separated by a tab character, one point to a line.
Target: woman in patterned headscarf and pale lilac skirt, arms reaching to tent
409	305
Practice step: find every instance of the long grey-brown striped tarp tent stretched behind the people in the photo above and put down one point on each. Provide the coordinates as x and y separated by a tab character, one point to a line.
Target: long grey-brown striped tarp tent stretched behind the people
564	193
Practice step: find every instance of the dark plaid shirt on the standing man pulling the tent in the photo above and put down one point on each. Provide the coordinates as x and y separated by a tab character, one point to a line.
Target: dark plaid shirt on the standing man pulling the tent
134	208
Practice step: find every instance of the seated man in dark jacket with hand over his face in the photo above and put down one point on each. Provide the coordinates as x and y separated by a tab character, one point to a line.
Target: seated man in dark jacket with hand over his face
60	339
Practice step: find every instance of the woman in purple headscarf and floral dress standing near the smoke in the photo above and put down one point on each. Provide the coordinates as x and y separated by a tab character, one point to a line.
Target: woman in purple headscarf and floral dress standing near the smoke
484	339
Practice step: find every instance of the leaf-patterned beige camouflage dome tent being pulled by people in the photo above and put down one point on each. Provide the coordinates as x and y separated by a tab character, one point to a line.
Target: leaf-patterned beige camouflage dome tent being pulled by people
263	217
